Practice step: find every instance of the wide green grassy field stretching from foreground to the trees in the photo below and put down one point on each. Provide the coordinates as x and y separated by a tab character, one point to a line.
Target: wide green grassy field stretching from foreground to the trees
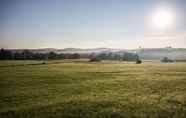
92	90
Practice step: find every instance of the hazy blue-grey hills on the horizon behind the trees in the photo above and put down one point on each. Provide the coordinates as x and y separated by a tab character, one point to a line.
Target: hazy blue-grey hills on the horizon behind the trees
144	53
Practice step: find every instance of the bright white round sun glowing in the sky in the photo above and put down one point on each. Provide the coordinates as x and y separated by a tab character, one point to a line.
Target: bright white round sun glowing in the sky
163	18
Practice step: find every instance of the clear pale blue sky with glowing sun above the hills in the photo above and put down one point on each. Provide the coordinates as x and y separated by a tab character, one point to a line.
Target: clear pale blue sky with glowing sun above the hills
123	24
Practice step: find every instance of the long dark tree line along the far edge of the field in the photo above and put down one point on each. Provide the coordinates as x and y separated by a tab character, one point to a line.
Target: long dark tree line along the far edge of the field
29	55
